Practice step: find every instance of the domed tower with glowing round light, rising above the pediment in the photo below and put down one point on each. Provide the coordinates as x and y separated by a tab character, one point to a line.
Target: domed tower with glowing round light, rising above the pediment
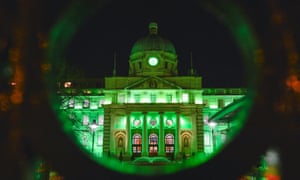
153	55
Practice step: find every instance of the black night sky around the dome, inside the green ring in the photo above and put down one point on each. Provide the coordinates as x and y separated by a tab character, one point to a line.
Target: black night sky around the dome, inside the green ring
216	56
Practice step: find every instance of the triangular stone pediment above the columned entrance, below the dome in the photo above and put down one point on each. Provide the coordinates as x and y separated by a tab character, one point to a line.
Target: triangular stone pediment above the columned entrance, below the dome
153	82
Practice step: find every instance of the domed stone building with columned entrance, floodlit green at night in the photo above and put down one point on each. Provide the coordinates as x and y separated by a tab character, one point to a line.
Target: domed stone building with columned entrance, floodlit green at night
151	112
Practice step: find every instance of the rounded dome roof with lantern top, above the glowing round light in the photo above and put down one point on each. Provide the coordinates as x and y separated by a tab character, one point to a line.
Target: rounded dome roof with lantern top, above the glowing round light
153	42
